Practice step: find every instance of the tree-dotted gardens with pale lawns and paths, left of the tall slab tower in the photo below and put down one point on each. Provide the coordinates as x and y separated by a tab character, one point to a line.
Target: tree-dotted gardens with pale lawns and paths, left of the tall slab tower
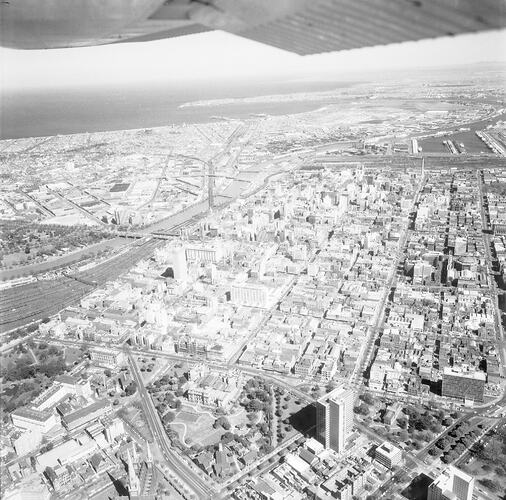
258	421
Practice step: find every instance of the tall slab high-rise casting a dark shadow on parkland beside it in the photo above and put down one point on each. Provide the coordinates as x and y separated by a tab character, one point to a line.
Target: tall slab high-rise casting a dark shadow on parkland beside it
334	418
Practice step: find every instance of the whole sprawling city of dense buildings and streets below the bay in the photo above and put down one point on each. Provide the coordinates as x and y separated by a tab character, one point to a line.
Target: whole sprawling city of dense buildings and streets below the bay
260	266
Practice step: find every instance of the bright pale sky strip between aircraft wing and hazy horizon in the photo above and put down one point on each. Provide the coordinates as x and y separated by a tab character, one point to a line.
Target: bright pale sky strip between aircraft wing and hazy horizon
216	56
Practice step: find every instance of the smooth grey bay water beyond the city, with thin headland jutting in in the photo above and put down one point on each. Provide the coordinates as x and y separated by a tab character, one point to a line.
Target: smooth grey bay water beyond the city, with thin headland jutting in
67	111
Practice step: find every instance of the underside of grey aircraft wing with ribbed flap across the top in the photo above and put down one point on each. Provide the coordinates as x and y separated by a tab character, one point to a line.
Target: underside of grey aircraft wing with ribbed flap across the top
300	26
